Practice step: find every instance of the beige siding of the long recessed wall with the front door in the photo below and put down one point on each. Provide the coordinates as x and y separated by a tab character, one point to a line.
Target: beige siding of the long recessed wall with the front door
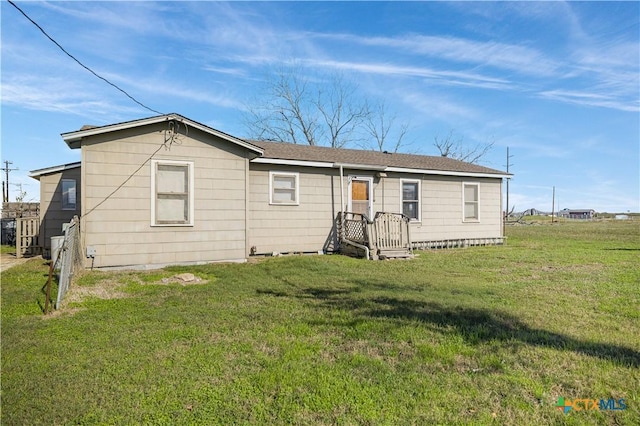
308	226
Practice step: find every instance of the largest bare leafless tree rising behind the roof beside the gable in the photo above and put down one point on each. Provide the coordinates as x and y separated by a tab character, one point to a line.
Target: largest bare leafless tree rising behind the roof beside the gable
296	109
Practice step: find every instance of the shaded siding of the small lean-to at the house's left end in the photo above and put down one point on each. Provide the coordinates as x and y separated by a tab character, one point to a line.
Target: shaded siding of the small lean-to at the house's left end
52	216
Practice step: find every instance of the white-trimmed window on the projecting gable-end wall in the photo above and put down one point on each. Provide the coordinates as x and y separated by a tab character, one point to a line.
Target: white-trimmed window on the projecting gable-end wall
171	193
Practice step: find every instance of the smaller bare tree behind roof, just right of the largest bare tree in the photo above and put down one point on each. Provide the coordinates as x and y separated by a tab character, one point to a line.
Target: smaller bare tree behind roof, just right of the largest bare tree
380	126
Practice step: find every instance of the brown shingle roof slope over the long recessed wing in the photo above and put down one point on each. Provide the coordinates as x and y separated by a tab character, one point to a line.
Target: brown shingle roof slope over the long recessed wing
287	151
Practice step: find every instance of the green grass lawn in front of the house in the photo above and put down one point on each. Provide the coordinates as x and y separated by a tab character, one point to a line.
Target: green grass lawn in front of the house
486	335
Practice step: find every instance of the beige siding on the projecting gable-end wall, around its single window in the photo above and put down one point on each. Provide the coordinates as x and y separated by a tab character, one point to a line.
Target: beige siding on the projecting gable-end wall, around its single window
120	227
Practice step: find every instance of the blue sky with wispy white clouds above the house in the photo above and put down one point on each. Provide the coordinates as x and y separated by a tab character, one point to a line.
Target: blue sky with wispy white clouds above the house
556	82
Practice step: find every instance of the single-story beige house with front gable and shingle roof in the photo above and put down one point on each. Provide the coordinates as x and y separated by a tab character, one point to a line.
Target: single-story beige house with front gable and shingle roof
169	190
